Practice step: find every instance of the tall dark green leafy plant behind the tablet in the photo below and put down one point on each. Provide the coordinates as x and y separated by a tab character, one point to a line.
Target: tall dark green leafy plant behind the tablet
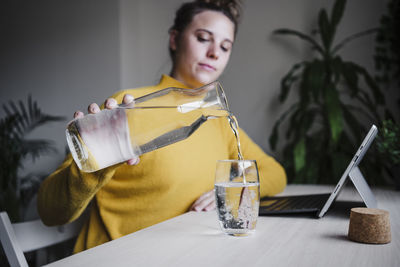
323	126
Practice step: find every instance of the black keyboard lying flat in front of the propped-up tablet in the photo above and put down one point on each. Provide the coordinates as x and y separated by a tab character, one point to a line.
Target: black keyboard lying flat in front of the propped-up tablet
292	204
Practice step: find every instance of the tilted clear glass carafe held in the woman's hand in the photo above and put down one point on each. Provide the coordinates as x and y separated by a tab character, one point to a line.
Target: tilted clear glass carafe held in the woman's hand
158	119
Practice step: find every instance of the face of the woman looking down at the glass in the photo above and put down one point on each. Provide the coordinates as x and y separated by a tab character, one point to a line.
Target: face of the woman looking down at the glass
203	48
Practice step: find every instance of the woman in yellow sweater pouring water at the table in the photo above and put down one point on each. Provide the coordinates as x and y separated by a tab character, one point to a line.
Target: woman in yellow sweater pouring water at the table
171	180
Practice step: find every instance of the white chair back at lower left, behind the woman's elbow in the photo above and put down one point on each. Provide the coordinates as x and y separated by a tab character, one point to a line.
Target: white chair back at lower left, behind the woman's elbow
18	238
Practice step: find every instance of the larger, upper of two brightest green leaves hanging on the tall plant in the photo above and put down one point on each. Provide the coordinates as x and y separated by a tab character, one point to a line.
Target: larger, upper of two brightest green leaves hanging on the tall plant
334	113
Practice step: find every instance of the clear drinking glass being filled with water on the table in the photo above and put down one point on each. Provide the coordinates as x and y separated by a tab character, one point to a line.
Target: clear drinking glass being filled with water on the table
237	196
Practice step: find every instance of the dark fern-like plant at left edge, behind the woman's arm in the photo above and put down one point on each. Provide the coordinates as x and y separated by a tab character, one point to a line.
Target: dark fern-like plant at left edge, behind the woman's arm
16	191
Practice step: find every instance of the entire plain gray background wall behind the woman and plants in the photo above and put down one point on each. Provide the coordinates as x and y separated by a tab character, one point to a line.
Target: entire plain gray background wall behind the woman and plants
68	54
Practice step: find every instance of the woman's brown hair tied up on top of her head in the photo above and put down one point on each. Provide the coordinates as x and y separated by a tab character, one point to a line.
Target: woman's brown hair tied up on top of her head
184	15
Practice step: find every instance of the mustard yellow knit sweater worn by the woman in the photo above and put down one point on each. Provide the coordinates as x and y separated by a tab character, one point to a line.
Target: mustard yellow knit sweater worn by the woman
164	184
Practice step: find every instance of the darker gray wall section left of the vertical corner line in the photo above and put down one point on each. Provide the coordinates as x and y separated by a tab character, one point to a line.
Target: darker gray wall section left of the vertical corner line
65	54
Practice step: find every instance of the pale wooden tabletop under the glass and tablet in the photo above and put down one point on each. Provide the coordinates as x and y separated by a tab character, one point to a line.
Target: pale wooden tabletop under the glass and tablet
195	239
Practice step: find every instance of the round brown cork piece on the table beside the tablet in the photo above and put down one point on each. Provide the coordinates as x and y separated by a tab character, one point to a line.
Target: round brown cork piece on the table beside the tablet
370	226
